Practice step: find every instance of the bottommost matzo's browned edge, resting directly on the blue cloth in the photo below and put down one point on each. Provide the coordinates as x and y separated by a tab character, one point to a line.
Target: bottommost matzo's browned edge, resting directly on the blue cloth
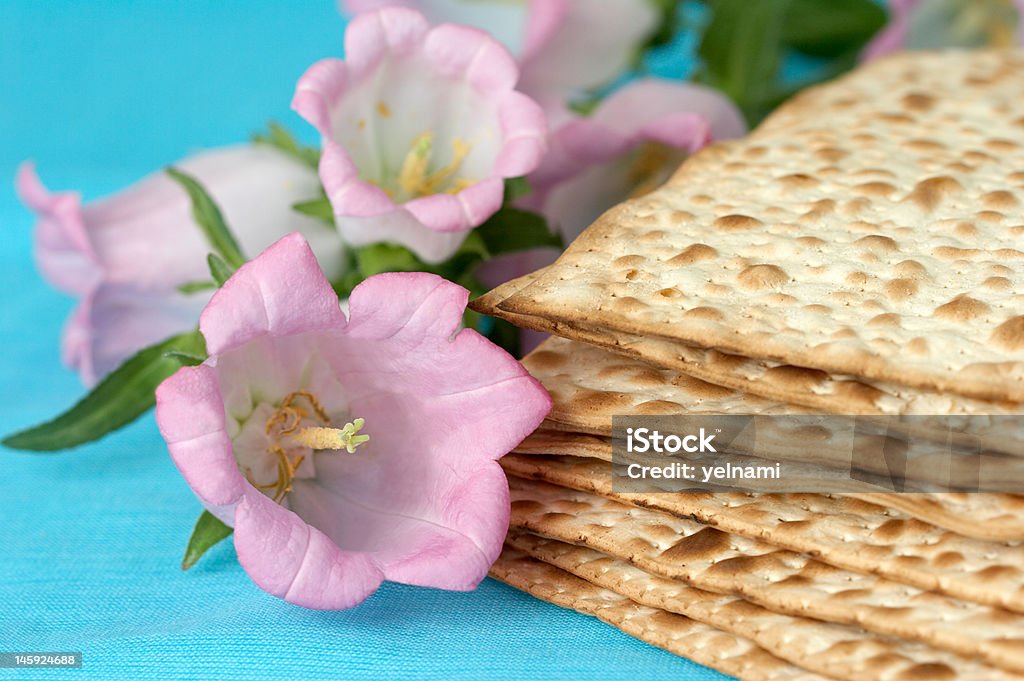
726	653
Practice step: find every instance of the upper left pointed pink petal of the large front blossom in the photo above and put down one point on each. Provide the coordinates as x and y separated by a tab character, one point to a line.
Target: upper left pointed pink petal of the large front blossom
282	292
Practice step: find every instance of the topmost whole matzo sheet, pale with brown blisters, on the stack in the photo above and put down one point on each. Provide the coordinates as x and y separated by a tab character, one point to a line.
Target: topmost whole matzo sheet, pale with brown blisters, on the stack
874	229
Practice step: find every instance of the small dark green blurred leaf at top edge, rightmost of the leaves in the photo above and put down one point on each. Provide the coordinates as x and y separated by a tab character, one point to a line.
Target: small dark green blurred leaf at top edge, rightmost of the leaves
832	29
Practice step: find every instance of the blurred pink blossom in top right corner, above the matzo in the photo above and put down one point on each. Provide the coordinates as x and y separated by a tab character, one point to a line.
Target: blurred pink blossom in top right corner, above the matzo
940	24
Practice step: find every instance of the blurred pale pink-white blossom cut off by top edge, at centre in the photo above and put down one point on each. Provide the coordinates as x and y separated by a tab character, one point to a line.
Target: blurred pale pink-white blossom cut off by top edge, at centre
564	47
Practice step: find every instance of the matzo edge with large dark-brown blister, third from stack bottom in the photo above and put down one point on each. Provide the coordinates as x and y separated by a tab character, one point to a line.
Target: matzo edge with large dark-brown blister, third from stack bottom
779	580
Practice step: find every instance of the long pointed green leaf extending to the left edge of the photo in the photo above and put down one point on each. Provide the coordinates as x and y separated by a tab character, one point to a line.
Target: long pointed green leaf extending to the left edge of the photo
120	399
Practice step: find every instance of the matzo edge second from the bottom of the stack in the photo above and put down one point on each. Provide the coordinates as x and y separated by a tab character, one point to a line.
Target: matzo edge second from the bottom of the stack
839	652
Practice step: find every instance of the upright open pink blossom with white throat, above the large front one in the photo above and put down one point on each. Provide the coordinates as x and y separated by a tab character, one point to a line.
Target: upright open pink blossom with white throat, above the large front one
420	129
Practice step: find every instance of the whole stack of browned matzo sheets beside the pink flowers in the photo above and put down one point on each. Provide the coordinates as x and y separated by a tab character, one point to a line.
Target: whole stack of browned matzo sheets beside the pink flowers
863	252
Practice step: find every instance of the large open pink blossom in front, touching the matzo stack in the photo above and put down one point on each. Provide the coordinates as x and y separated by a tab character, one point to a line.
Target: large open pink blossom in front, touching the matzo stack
265	432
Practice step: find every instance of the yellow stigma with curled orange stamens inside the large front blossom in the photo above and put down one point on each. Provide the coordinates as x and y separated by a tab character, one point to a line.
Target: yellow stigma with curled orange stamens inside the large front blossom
286	435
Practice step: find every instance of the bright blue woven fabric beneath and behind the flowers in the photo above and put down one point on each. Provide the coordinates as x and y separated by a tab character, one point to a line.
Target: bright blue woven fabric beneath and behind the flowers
100	93
